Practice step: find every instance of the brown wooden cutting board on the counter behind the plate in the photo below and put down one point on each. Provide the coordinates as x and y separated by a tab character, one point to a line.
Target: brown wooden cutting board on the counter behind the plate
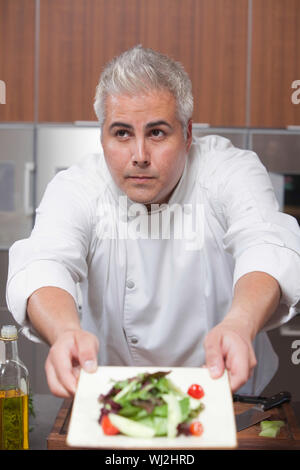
288	438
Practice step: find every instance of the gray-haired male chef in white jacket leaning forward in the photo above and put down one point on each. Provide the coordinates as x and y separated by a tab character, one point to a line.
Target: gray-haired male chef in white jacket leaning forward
176	244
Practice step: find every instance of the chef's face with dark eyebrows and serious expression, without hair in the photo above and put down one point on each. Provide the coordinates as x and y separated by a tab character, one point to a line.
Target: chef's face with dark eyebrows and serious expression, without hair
144	146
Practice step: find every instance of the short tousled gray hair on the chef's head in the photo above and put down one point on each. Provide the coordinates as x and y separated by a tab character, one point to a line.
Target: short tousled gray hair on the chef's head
142	70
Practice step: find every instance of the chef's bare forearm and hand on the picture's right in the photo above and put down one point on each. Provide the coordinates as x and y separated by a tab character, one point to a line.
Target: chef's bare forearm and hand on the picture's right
229	344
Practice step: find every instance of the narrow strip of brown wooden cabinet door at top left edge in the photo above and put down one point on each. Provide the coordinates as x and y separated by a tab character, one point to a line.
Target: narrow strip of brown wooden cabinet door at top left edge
17	33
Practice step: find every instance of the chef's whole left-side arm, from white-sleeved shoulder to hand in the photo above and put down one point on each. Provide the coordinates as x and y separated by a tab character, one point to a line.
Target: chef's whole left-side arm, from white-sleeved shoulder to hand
44	270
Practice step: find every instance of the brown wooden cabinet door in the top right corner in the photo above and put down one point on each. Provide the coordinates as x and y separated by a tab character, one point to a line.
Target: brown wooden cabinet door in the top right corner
275	62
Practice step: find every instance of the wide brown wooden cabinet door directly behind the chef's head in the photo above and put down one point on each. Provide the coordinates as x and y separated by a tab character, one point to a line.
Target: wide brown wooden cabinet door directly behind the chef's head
78	37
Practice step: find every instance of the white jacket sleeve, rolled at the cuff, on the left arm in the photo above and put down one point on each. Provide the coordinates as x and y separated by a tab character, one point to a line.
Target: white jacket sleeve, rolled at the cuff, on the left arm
55	253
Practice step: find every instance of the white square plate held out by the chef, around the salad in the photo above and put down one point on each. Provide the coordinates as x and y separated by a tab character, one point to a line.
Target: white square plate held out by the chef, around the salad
217	417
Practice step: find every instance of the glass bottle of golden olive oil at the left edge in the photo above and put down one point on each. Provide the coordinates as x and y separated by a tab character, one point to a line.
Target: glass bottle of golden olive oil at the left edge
14	390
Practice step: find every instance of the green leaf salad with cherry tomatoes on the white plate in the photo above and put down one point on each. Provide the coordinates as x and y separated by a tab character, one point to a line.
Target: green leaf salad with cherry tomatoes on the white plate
150	405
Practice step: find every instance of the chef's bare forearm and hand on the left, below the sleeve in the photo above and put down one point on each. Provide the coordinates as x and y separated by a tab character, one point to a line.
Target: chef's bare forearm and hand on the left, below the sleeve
53	313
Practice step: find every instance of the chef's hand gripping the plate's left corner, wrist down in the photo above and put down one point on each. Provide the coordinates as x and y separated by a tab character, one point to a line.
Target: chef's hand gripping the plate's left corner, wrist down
72	350
